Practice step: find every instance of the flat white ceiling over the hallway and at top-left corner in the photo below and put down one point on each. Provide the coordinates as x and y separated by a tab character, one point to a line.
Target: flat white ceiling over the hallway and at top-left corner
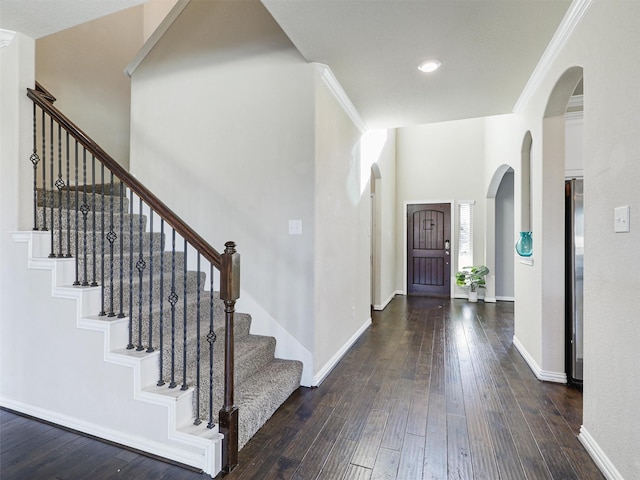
488	48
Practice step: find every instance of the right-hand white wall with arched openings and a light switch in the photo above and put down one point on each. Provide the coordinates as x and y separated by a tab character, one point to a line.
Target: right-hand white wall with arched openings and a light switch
604	45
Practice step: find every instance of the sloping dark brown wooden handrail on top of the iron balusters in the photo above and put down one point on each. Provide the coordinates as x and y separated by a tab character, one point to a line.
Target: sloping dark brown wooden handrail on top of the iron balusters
45	101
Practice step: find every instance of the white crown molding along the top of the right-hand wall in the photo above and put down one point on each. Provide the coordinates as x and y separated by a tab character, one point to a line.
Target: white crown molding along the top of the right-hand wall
569	23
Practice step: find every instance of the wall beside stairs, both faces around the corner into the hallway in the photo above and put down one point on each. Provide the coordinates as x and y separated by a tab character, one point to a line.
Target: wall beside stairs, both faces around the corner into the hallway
226	122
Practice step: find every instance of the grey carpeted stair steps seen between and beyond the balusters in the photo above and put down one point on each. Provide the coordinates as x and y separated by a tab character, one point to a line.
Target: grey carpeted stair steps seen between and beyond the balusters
262	382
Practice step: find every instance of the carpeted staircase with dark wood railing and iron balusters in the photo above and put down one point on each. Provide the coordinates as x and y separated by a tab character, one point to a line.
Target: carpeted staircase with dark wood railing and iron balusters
160	279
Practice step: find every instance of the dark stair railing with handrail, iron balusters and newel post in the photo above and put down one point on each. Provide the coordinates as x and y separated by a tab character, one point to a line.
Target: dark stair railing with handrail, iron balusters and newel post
71	170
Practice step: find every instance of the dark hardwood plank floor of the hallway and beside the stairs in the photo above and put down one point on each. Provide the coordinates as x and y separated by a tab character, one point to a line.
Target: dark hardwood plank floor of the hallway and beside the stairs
433	390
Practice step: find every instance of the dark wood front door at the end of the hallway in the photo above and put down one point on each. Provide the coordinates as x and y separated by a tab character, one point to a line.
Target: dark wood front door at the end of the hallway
429	249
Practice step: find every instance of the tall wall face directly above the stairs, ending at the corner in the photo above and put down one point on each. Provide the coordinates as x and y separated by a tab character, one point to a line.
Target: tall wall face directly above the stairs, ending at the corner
222	129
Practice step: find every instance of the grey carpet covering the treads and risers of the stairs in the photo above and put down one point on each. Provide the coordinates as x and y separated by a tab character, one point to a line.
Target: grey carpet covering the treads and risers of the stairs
262	382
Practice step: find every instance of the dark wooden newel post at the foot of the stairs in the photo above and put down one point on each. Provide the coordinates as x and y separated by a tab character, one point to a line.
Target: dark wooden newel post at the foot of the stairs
229	293
